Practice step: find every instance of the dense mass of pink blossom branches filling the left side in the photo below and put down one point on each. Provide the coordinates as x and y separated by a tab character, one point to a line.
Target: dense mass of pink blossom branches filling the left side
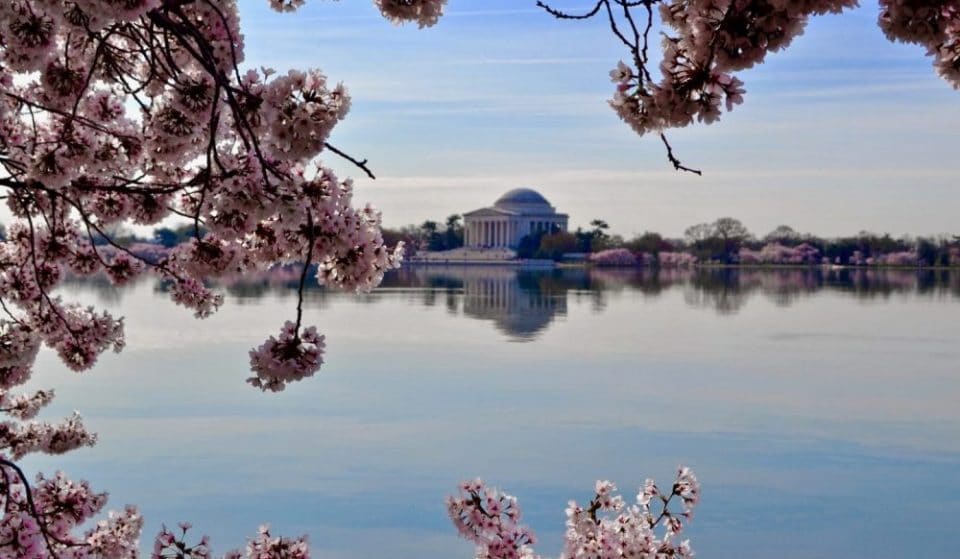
118	113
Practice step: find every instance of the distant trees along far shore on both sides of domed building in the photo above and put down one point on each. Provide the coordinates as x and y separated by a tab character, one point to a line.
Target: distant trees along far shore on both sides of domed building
725	241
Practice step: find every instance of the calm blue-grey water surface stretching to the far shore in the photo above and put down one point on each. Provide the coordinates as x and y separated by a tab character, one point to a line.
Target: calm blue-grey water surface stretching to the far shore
820	411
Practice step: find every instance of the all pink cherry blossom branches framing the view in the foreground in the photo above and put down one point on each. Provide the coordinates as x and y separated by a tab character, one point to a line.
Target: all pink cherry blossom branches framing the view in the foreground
116	112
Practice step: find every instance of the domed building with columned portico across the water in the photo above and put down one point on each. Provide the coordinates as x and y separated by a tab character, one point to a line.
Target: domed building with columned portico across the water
516	214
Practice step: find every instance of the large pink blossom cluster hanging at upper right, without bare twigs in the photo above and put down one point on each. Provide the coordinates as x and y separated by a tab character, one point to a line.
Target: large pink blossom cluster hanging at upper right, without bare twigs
710	40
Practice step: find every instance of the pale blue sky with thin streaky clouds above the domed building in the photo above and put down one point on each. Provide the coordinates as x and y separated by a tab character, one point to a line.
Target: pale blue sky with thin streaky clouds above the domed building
843	131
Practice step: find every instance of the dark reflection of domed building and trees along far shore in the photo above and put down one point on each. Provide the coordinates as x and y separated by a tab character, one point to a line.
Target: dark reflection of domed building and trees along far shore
523	303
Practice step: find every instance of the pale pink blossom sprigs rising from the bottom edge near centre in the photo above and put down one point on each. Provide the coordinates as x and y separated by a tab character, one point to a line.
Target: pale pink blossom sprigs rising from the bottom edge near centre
607	528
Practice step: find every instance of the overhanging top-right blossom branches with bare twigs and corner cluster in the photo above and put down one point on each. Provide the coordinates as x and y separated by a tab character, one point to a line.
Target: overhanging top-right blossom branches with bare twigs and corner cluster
706	41
